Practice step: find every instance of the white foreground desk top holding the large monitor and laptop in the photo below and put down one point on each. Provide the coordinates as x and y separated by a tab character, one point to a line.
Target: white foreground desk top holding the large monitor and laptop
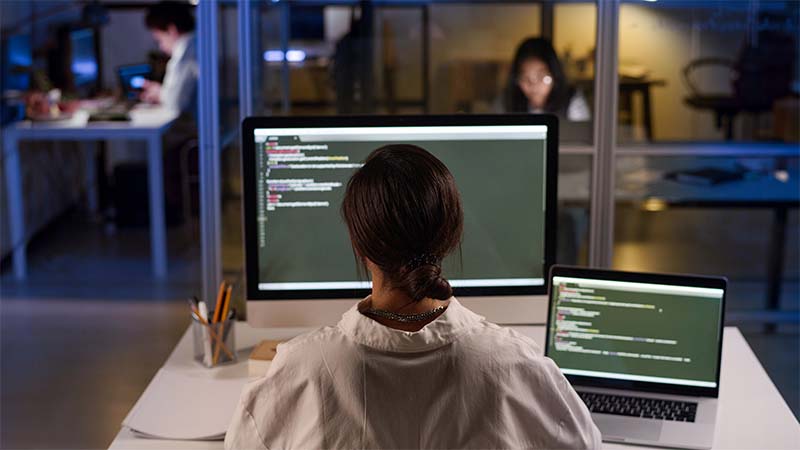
752	413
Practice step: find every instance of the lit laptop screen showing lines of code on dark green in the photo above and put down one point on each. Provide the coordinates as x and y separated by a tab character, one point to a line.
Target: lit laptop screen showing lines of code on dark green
637	331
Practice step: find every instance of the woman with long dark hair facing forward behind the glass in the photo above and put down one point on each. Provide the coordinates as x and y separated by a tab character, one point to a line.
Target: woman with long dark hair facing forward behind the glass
536	84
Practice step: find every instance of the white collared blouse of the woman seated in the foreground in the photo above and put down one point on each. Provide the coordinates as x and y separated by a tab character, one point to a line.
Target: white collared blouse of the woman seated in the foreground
458	382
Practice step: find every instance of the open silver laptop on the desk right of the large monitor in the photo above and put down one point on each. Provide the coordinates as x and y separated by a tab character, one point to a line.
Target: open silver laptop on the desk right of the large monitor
642	351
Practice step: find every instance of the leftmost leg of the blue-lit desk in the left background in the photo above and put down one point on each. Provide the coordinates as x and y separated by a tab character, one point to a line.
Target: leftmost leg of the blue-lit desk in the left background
16	206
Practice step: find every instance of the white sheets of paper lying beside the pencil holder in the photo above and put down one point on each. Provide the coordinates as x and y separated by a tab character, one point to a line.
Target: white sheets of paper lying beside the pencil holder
179	406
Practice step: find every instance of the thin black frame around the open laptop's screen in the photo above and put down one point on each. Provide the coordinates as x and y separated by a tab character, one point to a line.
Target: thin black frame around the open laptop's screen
640	277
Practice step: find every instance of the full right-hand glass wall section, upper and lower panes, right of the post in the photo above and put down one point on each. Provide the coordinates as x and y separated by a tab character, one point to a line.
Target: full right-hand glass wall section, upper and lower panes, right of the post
707	163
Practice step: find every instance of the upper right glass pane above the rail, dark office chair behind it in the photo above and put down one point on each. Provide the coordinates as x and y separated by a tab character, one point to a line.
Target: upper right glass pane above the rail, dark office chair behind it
708	70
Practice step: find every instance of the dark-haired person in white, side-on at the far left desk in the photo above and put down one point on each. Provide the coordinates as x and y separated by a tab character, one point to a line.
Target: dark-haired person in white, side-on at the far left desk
172	25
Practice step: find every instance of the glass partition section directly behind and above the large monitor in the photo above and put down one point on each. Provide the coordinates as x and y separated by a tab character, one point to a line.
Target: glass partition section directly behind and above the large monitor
430	57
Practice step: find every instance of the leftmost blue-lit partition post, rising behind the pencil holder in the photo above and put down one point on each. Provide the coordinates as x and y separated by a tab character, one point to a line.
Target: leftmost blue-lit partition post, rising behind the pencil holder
209	137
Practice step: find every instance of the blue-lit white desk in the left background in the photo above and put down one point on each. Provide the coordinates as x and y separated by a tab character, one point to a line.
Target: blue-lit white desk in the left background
147	124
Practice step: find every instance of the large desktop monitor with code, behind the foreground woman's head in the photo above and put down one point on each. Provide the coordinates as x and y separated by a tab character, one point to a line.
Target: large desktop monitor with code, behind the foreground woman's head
300	267
